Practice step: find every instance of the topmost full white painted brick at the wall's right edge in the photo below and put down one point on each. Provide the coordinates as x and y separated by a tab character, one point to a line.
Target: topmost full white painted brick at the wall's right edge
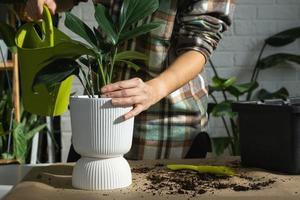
278	12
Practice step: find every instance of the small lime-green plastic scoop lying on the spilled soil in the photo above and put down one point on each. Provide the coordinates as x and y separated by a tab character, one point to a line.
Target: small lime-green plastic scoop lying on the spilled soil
218	170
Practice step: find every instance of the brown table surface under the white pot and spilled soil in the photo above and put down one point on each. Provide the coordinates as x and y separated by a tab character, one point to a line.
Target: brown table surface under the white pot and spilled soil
54	182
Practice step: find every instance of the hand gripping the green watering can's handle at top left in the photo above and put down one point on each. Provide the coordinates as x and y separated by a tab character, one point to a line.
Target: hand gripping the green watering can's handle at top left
34	8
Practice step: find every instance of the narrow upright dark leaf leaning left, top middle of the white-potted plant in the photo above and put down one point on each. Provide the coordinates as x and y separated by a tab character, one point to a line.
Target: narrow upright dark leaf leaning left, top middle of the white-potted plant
105	23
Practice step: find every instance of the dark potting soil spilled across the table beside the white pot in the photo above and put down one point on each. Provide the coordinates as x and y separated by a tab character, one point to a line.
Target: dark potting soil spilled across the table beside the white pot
161	180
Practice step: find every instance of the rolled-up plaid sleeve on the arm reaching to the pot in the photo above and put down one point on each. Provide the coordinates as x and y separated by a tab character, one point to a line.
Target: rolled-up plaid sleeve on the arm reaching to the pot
200	24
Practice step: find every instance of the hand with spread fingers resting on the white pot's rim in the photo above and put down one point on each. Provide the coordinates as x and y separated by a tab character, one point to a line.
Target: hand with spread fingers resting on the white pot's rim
134	92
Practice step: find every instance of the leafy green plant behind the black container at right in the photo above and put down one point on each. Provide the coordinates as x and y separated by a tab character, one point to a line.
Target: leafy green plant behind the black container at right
233	92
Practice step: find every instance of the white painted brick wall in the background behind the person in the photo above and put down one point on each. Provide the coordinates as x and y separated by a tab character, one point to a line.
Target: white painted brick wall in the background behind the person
254	20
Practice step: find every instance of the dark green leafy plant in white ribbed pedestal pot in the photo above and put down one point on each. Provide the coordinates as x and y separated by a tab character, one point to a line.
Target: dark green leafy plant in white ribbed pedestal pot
99	133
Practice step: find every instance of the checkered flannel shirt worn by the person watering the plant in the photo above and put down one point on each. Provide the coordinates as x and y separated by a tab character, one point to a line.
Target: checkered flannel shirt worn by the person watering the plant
167	129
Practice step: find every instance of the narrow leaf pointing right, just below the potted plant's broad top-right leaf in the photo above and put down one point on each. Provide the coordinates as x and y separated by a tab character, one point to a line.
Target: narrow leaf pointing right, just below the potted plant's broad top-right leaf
141	30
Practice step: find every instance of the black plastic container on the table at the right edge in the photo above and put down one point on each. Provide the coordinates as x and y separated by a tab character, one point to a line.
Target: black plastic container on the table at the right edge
270	134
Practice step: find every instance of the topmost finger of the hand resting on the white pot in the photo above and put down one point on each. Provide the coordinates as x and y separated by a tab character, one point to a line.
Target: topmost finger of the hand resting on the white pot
132	83
